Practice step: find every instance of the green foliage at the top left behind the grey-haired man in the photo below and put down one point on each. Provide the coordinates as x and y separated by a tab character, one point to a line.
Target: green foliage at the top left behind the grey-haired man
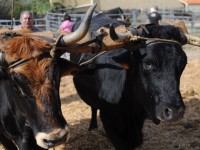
38	7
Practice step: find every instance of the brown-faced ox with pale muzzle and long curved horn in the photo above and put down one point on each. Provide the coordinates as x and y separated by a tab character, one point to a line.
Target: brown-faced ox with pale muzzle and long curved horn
30	108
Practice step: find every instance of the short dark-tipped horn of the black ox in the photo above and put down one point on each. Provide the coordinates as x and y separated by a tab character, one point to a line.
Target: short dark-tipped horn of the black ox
119	37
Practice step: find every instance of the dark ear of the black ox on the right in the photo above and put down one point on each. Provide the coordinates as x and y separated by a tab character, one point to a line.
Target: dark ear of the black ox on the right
123	60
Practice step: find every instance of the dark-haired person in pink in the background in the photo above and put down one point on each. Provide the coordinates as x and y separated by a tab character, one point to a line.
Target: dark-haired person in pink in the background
67	24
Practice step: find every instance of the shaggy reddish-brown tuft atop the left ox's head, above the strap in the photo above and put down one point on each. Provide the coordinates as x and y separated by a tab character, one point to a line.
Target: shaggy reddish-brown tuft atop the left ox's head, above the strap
24	46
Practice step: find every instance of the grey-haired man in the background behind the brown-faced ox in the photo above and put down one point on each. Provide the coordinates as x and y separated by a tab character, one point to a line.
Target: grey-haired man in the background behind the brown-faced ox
26	20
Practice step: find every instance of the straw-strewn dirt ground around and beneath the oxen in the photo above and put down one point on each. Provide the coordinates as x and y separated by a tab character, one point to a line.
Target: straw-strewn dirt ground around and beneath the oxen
181	135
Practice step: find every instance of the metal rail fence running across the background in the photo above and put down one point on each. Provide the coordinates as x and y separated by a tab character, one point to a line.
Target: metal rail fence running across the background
52	21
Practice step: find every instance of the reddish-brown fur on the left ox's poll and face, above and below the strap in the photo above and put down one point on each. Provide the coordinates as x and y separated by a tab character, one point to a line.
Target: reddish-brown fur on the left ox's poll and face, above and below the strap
27	46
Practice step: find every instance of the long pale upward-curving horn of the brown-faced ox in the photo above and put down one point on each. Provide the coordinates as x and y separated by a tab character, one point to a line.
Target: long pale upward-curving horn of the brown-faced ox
82	30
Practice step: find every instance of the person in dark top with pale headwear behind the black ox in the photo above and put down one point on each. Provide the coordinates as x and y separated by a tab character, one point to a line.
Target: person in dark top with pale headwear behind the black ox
154	16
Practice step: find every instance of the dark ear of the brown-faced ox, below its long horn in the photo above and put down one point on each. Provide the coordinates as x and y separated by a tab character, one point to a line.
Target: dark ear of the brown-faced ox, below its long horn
67	67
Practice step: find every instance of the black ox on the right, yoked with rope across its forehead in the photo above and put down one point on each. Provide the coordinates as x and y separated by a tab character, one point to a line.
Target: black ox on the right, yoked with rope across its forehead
134	83
